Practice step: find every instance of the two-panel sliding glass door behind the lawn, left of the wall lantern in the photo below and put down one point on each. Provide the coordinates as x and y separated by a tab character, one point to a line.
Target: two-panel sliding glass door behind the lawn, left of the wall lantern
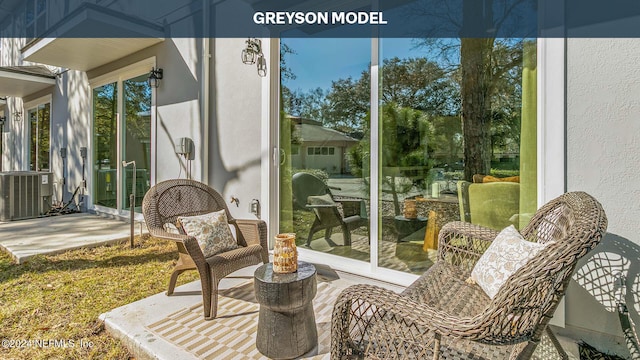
122	132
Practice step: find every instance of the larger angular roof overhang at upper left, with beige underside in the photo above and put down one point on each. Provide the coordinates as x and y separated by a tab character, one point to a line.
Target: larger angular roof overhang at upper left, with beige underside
69	44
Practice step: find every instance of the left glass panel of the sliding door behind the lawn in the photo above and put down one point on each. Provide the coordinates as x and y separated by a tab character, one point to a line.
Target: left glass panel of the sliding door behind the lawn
105	149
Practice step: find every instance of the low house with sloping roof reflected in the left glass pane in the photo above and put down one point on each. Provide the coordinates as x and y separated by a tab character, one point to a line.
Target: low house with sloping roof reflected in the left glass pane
320	147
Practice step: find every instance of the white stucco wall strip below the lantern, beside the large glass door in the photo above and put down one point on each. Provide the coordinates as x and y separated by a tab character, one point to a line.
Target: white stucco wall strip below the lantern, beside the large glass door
235	126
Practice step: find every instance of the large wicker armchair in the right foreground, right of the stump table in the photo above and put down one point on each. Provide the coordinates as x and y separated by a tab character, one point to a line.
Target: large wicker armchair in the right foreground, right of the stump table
443	316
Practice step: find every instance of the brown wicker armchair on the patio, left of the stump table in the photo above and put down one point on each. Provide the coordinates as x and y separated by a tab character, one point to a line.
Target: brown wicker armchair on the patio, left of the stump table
167	200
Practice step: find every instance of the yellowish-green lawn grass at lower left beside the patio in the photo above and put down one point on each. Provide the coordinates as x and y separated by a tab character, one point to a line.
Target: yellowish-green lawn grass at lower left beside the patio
53	301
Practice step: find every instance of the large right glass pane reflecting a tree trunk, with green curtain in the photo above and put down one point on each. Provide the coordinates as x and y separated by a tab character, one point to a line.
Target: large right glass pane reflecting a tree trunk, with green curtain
454	114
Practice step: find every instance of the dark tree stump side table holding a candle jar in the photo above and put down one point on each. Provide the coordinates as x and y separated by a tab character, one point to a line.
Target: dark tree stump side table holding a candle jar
286	324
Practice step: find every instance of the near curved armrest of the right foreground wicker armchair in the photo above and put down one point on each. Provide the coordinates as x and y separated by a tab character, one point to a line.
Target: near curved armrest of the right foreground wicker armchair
375	314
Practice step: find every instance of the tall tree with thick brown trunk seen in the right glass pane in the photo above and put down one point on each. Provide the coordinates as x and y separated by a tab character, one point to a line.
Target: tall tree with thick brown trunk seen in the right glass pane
486	66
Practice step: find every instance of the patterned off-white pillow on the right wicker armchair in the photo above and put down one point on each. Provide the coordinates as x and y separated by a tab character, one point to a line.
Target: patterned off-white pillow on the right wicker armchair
508	252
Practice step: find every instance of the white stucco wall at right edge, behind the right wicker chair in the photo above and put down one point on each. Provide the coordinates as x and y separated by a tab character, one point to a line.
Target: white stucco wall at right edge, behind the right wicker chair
603	159
